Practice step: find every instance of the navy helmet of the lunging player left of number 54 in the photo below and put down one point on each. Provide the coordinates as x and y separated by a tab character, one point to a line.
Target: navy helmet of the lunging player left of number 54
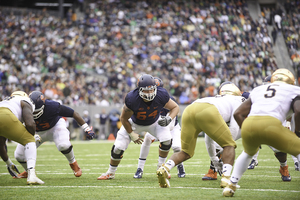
38	99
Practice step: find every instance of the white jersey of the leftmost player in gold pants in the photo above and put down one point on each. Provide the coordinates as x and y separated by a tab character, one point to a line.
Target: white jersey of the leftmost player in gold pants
14	104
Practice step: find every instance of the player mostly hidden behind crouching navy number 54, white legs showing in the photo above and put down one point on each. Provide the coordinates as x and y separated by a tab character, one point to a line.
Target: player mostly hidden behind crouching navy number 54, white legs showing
149	139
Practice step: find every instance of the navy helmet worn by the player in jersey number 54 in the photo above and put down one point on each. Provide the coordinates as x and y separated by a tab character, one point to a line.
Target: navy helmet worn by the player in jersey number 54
147	87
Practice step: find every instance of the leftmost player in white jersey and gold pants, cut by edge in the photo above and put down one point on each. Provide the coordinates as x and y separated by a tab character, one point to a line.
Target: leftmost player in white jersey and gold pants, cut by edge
14	111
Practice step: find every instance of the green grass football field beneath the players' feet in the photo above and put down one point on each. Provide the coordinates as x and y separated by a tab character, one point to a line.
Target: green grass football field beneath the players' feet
263	182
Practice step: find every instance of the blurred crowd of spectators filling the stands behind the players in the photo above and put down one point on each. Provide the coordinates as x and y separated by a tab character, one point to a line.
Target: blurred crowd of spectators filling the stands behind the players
95	59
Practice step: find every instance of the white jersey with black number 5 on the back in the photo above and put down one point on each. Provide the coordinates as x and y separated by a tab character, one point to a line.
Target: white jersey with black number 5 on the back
273	100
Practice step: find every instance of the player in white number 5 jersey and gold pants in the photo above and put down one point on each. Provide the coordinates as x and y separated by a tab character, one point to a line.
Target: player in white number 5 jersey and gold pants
261	117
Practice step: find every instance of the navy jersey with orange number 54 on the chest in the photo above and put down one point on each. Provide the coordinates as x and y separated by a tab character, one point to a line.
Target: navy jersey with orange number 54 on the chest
146	113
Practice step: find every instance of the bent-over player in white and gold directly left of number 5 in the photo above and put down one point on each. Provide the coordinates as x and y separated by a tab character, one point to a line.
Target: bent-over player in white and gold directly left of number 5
210	115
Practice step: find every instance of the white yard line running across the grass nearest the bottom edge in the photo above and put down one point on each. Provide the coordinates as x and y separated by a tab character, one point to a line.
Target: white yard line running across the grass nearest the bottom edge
134	187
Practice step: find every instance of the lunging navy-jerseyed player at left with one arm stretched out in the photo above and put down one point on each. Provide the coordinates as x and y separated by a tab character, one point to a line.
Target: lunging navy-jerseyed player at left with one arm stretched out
50	126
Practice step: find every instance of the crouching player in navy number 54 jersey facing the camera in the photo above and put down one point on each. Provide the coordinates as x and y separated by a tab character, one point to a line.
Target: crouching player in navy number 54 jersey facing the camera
141	112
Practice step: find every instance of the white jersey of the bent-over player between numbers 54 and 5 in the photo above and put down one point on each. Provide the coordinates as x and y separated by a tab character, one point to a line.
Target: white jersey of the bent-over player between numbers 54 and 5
225	104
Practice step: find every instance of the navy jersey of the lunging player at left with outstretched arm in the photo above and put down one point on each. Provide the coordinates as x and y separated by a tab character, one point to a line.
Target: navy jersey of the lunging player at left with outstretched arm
52	113
